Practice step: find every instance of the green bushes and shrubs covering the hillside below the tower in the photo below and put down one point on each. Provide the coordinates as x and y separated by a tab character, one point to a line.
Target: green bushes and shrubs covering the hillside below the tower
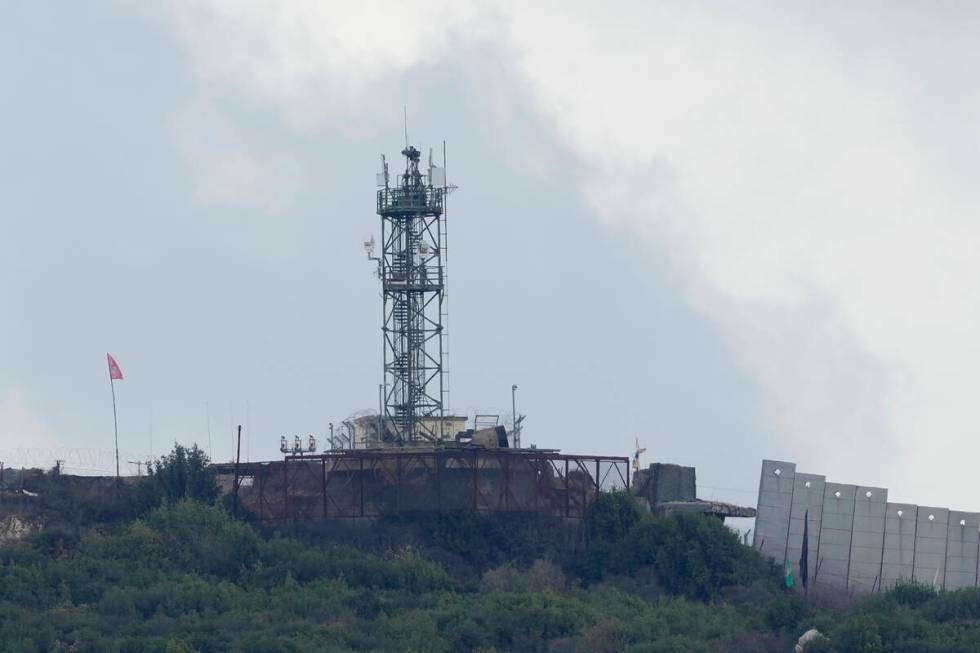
179	574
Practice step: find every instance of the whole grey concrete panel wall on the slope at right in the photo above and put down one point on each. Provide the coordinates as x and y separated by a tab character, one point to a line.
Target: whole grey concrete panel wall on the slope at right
858	540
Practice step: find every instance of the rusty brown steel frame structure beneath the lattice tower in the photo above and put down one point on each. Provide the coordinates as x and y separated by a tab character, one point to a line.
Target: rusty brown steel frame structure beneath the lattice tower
376	482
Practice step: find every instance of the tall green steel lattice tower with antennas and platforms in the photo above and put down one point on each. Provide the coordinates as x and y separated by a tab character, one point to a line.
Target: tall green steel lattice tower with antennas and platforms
413	282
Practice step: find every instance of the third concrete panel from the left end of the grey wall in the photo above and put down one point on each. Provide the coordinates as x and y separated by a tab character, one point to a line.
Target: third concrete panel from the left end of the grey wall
836	526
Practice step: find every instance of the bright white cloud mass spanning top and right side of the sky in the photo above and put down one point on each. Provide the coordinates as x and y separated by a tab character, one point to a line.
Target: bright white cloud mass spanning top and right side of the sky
810	173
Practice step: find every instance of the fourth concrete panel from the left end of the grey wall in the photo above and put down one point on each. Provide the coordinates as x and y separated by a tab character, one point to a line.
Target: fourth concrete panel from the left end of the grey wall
864	571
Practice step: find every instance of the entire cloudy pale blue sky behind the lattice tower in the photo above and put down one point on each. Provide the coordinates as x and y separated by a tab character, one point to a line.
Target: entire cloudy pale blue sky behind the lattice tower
733	231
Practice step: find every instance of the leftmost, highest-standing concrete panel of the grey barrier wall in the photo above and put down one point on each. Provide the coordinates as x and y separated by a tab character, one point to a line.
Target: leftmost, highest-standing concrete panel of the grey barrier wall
775	507
